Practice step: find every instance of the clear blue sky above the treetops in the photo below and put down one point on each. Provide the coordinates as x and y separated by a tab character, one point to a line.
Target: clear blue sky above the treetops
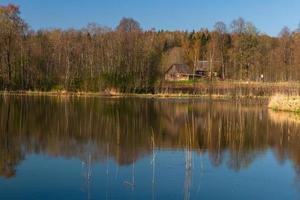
268	15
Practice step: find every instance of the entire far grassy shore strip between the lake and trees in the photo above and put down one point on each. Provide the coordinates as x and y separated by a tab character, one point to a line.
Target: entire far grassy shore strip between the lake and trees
215	89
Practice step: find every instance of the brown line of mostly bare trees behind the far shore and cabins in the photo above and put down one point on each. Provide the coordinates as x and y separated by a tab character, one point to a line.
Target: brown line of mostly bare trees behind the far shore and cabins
130	59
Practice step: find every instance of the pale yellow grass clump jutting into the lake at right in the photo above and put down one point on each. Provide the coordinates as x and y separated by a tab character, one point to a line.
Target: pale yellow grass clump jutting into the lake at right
285	103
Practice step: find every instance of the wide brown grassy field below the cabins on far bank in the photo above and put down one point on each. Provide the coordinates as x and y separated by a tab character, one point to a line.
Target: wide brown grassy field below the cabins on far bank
234	88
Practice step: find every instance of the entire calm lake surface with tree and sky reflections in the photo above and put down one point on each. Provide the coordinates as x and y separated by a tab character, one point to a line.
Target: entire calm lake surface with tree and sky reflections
101	148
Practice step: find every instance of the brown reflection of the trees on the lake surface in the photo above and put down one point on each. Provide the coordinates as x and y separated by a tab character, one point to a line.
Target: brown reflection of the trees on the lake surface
69	126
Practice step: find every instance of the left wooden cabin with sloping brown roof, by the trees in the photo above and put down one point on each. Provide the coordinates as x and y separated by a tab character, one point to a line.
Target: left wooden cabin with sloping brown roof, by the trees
178	72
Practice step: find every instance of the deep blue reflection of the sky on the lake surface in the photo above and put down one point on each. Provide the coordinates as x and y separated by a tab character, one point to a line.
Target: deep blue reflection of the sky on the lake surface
43	177
